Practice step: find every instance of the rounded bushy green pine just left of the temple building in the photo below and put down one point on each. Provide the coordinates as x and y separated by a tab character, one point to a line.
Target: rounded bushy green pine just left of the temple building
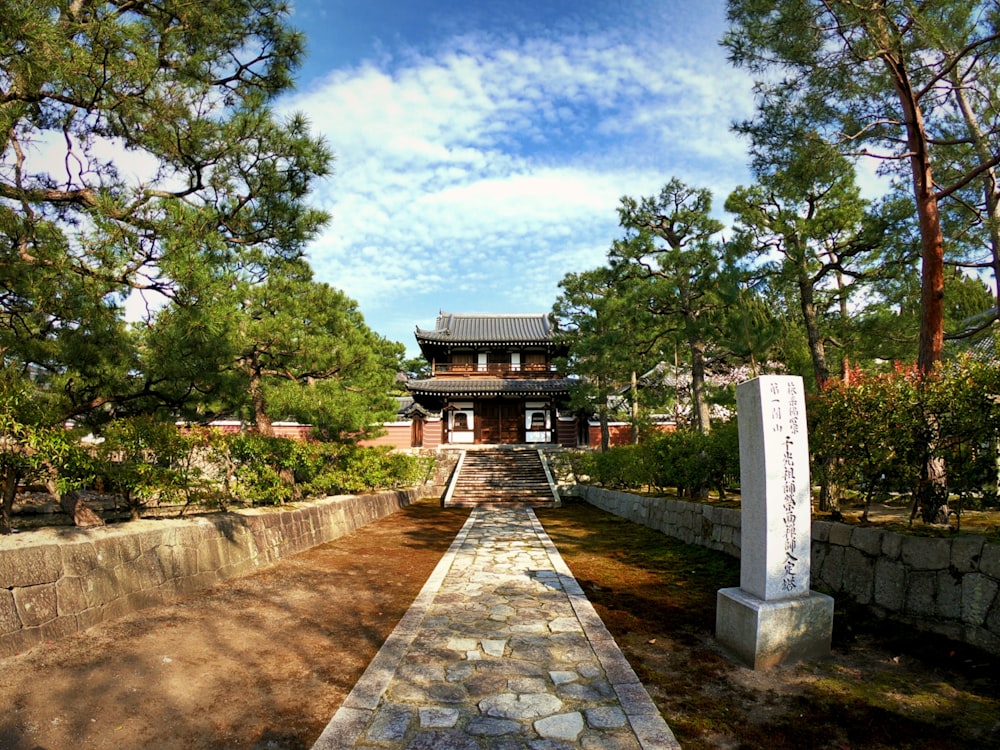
288	348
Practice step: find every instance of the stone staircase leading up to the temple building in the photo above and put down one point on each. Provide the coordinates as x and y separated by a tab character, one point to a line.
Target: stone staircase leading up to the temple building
501	477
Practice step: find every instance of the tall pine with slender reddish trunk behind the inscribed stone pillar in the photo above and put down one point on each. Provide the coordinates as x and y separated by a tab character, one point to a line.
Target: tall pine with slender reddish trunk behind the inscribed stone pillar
882	78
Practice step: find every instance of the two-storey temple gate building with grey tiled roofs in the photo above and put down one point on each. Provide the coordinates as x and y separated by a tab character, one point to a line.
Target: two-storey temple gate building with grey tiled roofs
493	380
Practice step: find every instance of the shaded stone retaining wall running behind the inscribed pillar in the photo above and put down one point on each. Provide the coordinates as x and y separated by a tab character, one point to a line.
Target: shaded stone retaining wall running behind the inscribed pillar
945	585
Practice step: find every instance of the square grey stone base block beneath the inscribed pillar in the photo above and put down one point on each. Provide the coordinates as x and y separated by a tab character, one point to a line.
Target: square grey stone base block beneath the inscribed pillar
766	634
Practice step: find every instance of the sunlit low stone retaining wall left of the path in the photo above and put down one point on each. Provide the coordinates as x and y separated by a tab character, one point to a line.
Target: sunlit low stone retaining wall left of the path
58	581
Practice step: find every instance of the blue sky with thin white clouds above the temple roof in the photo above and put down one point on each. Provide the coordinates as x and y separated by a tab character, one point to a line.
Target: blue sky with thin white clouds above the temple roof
482	147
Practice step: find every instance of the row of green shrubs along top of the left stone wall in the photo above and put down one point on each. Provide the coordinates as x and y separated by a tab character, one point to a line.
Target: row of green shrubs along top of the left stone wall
144	460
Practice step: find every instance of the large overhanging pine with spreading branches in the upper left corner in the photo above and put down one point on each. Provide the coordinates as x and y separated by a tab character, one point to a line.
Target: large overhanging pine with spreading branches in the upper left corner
139	151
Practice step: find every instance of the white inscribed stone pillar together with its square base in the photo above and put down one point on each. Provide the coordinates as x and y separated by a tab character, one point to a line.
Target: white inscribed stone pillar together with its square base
773	618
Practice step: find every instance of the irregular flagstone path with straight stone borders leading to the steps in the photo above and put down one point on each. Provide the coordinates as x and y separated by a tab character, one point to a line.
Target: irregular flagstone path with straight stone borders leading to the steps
500	650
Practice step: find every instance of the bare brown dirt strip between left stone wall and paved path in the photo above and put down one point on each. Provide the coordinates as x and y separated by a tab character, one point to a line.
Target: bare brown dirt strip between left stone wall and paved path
260	662
